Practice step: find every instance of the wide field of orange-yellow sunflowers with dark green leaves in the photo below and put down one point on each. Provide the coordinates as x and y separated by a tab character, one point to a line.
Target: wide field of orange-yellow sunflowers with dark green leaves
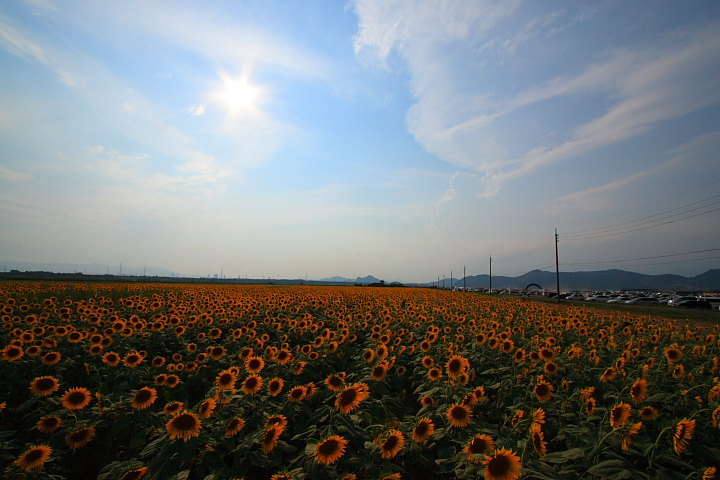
168	381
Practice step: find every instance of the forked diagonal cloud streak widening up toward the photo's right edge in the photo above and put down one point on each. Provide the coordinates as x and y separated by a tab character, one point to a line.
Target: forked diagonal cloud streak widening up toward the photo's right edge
651	87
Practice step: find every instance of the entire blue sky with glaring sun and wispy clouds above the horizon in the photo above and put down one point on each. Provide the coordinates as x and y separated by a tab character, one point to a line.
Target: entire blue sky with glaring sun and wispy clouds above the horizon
402	139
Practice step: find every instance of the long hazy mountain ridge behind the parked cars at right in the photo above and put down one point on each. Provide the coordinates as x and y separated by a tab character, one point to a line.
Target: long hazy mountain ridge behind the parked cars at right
600	280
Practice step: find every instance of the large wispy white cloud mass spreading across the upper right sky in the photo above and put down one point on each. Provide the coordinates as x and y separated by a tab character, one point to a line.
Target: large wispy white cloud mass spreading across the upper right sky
443	43
